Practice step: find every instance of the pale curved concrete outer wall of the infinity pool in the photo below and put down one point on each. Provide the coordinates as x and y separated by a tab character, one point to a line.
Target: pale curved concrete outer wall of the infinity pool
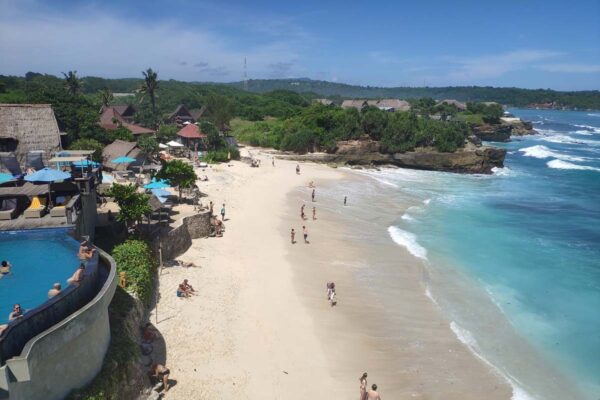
66	356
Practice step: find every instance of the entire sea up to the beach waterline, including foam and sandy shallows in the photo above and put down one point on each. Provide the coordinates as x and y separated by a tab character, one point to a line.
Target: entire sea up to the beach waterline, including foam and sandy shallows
512	258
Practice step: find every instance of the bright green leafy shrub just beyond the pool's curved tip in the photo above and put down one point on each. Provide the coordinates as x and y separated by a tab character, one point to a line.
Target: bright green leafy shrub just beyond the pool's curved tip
135	259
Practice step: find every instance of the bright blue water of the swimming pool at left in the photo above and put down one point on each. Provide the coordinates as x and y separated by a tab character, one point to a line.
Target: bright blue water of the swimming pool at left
39	258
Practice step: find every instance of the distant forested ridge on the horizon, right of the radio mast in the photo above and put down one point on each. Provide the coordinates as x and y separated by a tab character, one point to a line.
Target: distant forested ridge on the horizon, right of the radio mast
510	96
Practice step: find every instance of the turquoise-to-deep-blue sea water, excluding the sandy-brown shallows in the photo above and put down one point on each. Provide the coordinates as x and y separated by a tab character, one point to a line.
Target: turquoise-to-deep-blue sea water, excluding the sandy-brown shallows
529	235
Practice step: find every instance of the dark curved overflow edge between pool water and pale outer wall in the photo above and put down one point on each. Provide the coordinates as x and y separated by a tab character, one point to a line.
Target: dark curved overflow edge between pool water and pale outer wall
43	317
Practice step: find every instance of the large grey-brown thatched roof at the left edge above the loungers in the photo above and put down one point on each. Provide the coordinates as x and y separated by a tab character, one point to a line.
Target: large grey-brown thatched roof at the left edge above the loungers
32	126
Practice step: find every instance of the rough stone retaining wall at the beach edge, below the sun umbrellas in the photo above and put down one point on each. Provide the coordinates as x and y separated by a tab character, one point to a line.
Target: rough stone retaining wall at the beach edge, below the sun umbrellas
178	240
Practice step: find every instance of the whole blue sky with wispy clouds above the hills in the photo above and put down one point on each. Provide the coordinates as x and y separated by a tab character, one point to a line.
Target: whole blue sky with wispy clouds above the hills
525	43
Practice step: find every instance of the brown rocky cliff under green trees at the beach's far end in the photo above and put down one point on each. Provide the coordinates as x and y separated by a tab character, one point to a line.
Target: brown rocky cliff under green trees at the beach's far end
471	159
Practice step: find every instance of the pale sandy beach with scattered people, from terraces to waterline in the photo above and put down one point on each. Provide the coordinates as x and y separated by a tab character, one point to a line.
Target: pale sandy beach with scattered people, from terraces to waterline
260	326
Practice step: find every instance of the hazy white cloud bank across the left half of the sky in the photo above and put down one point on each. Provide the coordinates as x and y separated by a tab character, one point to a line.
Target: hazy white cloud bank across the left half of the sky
96	43
